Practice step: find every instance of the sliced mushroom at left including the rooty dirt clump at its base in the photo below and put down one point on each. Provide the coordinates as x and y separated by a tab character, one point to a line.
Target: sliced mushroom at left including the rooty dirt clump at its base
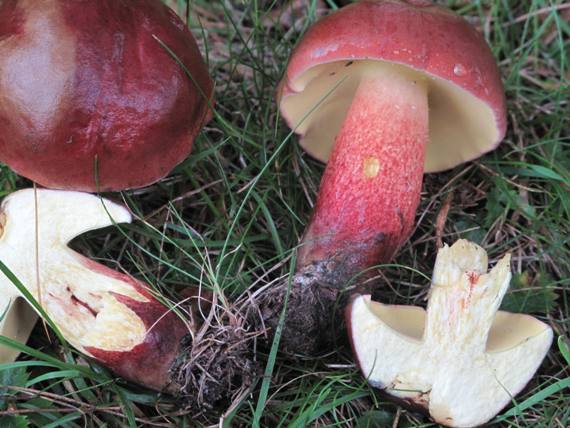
112	317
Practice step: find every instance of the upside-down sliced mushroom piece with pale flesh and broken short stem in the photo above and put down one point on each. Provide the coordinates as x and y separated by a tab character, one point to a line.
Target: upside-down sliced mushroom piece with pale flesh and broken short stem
456	359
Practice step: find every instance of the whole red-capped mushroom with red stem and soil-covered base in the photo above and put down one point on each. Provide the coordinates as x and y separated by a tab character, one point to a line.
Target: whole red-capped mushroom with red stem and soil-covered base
383	91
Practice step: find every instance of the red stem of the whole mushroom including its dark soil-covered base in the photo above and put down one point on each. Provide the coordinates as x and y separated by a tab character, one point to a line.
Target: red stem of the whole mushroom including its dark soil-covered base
366	204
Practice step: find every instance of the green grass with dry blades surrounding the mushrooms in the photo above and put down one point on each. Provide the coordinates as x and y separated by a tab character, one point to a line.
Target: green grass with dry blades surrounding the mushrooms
231	215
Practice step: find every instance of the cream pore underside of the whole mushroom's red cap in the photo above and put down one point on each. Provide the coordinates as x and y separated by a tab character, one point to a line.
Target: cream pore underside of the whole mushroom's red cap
461	126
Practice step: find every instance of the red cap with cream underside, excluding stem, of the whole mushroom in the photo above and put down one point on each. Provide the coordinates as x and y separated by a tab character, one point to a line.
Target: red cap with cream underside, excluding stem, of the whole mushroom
466	96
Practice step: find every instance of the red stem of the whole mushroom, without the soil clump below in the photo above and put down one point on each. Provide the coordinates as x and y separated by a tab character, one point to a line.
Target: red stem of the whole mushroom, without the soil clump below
371	187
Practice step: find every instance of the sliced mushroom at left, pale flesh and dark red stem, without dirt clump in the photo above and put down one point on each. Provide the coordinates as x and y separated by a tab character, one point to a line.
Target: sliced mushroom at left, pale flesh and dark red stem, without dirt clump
106	315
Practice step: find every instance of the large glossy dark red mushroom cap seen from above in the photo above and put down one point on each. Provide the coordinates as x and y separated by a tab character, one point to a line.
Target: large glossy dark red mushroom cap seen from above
90	100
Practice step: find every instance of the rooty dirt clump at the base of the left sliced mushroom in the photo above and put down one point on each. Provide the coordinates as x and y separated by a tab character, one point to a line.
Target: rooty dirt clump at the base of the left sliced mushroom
215	365
